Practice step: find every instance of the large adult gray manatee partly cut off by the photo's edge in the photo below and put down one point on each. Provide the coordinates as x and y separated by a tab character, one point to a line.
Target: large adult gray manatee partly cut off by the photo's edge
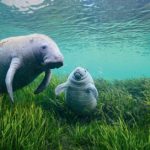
23	58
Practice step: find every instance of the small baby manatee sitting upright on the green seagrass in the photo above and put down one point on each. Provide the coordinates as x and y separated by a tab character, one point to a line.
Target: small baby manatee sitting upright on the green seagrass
80	91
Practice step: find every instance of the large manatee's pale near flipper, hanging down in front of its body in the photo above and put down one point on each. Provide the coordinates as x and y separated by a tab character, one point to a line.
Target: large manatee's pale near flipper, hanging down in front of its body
14	66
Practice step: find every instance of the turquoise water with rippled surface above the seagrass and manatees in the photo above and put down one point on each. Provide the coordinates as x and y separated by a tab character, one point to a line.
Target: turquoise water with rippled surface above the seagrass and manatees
111	38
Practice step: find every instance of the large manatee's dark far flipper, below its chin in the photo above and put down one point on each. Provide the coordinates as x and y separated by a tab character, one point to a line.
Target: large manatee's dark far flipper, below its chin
45	82
